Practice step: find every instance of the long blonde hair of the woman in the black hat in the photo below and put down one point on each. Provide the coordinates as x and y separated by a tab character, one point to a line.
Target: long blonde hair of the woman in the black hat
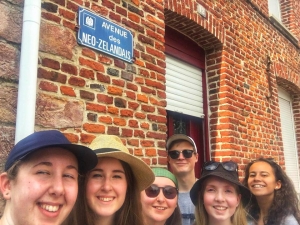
201	215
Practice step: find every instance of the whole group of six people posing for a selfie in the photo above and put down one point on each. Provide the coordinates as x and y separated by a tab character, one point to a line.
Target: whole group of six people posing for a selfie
49	181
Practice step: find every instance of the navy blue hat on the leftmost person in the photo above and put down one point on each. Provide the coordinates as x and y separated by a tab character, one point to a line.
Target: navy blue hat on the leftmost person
86	158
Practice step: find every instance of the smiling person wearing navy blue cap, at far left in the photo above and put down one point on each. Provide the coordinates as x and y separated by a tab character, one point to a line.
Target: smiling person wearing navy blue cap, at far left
40	179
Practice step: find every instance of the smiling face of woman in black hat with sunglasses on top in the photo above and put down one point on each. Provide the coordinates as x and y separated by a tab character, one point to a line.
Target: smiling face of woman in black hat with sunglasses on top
220	200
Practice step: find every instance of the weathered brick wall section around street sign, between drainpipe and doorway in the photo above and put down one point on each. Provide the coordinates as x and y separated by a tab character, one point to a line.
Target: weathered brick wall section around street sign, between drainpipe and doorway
85	93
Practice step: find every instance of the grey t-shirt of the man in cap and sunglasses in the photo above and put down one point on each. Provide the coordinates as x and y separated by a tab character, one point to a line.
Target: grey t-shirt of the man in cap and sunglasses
187	208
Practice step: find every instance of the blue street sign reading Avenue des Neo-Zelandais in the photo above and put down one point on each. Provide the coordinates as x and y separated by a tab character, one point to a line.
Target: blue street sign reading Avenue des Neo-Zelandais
100	34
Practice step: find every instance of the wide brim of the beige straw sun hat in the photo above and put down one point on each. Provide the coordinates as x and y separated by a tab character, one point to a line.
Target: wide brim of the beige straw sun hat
141	171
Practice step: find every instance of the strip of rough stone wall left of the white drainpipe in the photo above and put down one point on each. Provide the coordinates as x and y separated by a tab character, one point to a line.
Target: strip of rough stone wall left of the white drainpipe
10	38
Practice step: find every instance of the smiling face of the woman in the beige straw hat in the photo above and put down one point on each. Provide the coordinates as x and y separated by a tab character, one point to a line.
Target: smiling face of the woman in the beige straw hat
106	188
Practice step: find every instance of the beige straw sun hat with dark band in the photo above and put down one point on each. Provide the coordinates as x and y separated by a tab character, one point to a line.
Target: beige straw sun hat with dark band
112	146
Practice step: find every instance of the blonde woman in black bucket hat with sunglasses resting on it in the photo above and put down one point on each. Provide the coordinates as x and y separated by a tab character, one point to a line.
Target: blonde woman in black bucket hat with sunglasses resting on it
218	195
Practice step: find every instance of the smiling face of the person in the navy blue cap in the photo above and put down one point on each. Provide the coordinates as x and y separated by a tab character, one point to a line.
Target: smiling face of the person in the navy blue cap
44	190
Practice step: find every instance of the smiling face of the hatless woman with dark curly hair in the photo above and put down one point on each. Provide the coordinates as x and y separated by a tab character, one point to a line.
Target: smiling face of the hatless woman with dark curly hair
262	181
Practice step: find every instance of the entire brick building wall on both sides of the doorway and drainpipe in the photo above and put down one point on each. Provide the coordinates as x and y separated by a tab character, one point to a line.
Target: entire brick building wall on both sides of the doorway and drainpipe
83	92
